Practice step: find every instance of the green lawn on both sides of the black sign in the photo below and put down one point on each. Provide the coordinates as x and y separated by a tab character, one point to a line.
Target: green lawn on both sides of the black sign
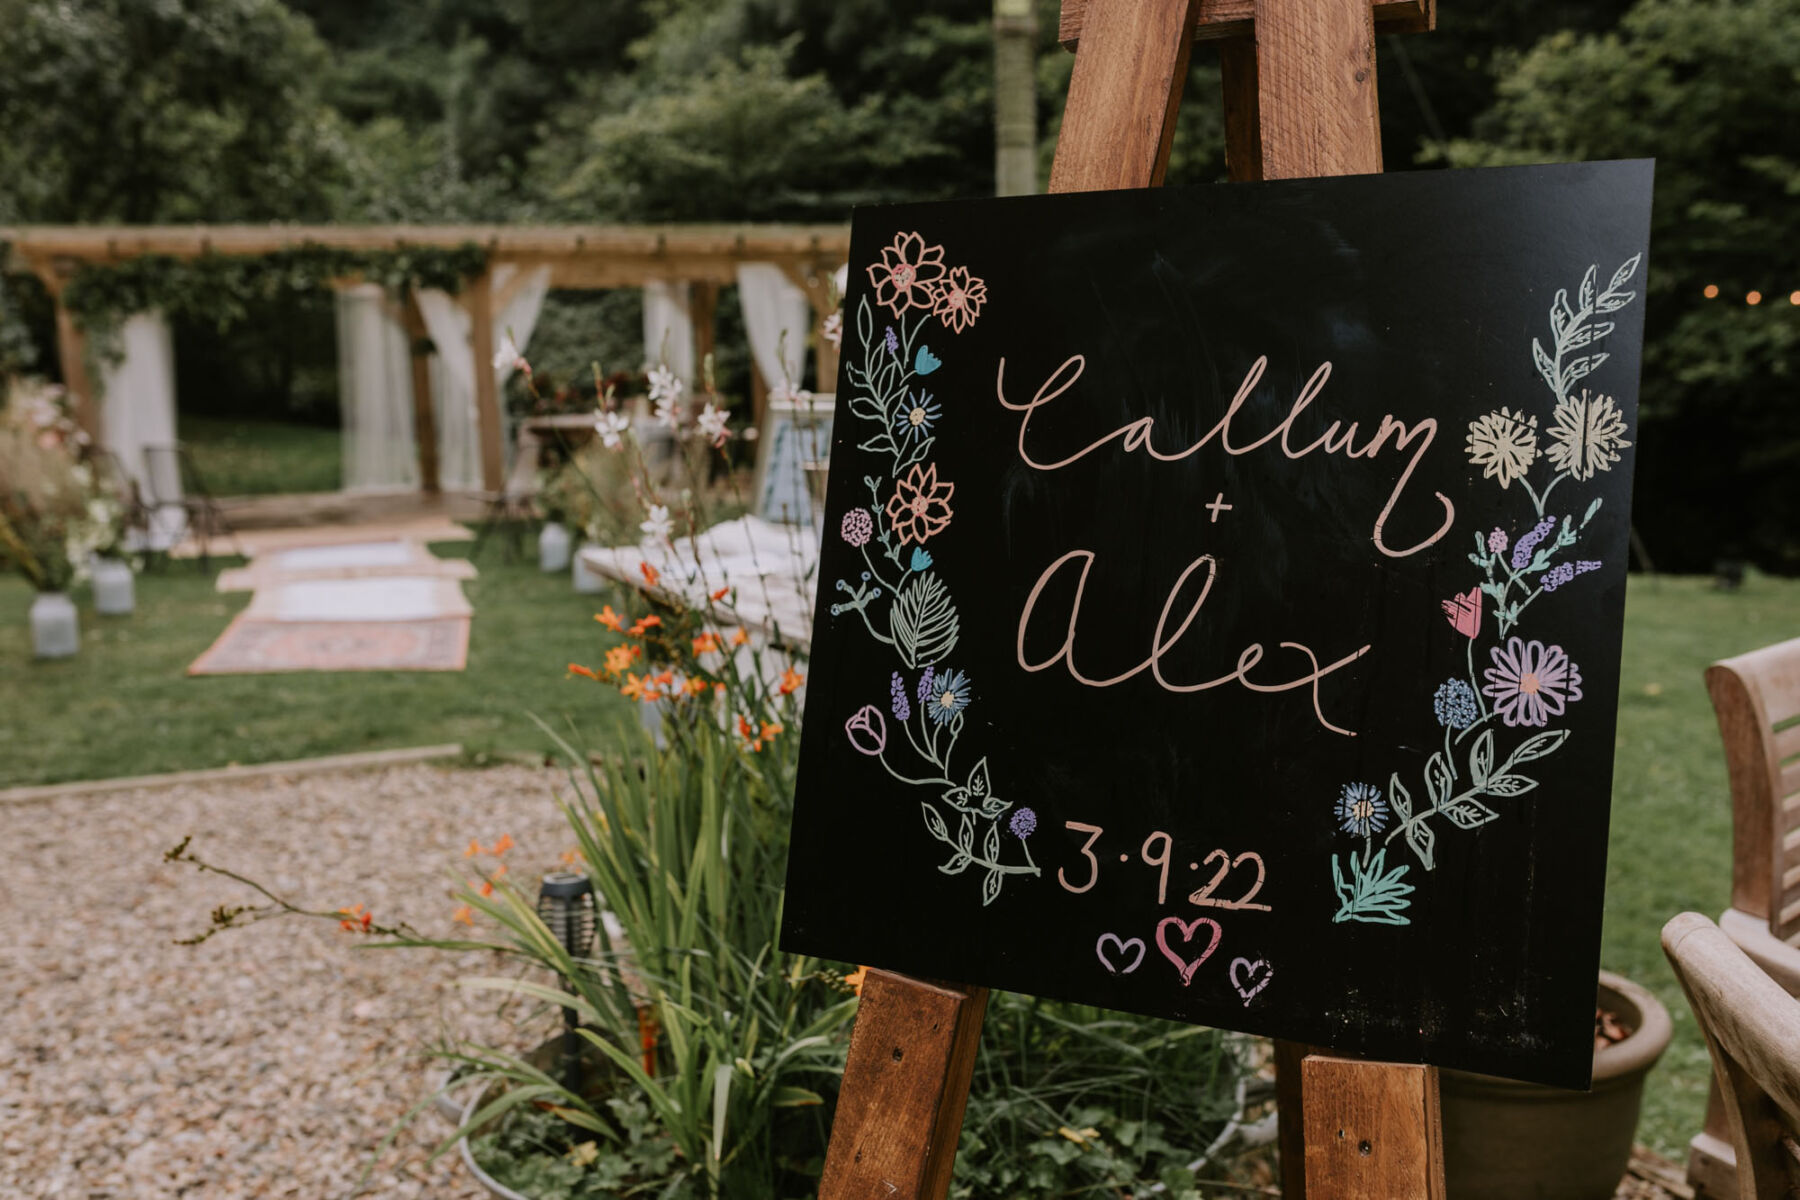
123	706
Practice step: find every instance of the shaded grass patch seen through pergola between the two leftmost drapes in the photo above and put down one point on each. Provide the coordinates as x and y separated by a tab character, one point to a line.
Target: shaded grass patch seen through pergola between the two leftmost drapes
264	458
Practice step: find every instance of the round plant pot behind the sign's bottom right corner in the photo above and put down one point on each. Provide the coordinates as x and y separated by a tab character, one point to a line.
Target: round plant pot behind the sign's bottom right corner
1525	1142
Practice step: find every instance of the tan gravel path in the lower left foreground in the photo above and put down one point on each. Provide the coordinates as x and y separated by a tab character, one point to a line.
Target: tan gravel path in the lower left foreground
267	1062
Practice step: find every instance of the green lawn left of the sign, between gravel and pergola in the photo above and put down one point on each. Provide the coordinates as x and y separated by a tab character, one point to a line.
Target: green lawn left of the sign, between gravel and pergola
125	704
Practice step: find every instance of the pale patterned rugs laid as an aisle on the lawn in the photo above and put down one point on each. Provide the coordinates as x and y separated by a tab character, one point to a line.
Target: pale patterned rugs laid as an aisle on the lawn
348	607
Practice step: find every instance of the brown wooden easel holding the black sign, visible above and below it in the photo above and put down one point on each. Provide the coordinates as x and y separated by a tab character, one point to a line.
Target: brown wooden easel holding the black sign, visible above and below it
1300	102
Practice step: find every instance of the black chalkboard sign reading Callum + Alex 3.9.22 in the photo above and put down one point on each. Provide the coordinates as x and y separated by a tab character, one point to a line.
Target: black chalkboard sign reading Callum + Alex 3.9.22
1221	598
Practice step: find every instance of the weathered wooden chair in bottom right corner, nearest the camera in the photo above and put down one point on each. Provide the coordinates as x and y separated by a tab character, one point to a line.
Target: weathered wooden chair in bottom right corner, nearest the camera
1752	1028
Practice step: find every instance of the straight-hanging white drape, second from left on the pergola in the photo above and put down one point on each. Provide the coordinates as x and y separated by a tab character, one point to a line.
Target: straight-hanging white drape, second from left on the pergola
375	393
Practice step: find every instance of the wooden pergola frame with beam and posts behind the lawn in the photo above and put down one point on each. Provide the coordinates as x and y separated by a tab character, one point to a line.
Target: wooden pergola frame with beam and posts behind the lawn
579	256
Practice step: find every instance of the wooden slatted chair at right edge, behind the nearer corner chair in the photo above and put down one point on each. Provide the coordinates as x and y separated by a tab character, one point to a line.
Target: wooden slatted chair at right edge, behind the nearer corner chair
1758	703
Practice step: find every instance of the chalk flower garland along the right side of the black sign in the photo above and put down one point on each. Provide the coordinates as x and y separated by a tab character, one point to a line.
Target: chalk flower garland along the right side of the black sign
1531	683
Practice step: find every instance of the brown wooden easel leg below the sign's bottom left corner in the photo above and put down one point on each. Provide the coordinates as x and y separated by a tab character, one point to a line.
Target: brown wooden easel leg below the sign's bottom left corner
906	1084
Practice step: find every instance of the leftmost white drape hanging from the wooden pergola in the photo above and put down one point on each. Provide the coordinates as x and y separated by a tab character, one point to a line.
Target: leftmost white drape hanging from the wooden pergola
138	415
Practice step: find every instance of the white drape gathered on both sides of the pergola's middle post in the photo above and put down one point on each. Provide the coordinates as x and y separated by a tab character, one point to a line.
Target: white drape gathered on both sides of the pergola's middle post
454	364
